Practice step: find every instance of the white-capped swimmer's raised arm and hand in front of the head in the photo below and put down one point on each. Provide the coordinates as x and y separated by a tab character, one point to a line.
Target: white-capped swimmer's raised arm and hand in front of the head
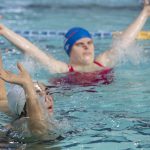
37	123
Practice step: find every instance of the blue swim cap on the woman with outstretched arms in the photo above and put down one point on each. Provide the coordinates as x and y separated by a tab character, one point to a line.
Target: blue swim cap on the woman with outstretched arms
73	35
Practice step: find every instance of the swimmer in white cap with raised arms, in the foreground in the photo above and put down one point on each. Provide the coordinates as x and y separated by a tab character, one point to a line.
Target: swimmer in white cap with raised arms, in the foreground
27	100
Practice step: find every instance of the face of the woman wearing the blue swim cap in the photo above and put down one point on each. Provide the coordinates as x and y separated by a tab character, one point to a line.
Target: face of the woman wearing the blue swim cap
82	52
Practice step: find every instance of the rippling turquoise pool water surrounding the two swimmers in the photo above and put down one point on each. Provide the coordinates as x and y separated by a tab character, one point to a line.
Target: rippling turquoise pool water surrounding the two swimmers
114	116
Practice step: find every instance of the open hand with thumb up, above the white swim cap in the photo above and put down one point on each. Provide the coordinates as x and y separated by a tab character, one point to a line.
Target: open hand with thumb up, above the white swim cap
23	78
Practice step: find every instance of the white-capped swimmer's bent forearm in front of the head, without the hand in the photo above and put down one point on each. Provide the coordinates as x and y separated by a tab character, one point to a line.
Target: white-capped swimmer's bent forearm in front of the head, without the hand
37	122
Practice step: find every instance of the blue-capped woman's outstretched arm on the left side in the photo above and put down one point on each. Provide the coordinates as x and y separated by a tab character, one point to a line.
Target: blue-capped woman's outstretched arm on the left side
27	47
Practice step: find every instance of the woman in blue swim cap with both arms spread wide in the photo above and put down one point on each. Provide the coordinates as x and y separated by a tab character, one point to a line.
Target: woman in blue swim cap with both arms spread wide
79	46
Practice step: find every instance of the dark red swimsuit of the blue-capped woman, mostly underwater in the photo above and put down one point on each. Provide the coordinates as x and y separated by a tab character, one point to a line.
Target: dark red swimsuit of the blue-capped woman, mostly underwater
85	79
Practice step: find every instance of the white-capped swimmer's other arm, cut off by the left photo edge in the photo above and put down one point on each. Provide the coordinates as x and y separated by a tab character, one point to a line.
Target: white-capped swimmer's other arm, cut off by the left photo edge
3	96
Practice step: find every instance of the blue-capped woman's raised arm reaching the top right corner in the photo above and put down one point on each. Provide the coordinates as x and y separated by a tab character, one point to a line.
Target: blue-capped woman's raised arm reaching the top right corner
126	38
